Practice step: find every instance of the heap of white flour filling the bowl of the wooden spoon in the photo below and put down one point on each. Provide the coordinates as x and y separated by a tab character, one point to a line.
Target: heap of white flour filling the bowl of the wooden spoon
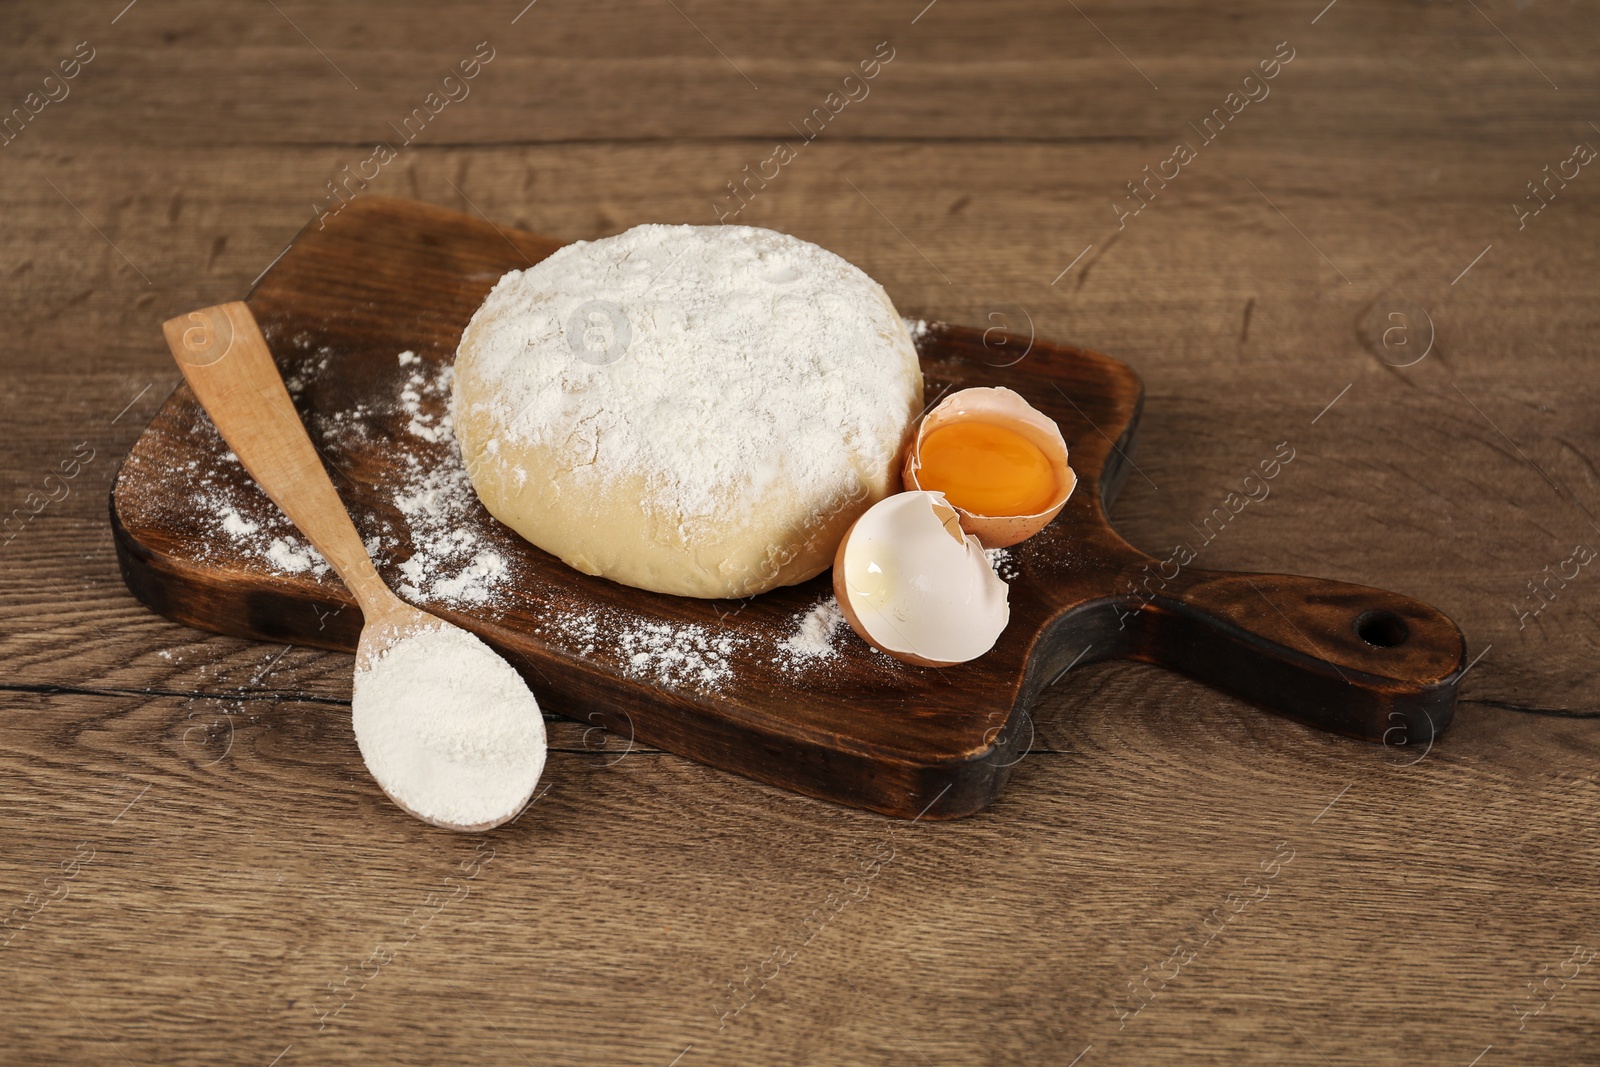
449	729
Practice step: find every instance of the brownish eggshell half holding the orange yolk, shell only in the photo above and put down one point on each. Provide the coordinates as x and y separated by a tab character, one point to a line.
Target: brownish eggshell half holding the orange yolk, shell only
1010	410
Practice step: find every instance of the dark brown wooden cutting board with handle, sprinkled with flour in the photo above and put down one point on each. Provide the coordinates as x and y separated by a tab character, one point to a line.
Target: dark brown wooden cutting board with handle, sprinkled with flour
719	682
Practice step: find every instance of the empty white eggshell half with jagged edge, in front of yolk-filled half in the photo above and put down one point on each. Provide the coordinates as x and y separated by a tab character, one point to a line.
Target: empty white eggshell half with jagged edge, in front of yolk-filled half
918	588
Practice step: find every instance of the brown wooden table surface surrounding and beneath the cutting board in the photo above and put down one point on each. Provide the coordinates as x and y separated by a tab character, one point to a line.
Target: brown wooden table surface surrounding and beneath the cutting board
196	866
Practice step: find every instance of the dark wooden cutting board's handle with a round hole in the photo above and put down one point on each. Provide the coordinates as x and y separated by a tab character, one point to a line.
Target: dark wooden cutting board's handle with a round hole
1348	658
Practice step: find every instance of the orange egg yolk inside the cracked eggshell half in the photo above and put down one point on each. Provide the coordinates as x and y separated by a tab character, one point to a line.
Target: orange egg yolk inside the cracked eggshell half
988	470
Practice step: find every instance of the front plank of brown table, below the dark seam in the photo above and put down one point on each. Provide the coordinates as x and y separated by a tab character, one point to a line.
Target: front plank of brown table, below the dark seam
623	905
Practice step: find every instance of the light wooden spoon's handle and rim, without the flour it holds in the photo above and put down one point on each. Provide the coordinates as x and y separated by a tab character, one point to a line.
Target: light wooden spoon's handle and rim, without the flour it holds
231	372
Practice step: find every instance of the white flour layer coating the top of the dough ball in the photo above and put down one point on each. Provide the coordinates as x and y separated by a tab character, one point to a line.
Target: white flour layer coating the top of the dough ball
711	362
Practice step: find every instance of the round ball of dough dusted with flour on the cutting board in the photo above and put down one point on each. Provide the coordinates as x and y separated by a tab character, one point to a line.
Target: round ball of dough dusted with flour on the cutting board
695	410
